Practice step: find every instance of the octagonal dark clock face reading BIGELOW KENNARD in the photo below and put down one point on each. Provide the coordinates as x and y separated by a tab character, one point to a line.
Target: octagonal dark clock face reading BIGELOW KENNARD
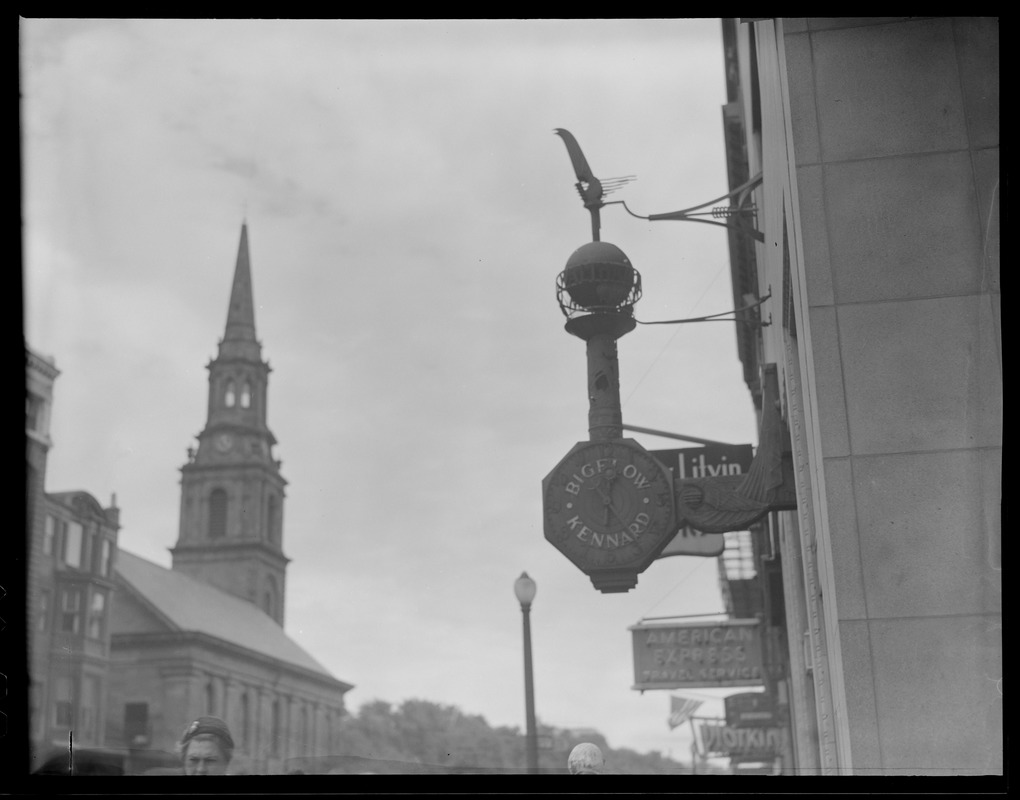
609	508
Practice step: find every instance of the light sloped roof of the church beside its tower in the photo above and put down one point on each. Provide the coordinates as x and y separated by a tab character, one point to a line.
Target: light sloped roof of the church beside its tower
190	606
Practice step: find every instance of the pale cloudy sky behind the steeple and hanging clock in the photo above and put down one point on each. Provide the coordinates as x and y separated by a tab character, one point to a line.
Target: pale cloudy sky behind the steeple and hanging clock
409	209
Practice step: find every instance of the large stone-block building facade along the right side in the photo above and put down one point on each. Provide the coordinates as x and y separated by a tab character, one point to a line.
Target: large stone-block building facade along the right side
878	141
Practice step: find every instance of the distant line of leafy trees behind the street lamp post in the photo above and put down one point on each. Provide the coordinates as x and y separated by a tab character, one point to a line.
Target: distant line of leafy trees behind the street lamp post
421	737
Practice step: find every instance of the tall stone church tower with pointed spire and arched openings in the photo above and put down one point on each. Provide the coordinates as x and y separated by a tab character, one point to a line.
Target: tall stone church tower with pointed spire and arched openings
232	491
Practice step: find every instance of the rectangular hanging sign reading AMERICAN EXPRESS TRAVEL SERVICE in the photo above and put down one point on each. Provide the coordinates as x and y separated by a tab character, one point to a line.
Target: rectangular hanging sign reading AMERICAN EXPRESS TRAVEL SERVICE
694	656
